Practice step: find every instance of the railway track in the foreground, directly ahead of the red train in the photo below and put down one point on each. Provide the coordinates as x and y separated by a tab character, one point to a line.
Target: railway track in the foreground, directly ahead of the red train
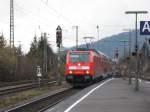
42	103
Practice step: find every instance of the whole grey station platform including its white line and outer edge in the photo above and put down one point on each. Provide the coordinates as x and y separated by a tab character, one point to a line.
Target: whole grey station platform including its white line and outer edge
113	95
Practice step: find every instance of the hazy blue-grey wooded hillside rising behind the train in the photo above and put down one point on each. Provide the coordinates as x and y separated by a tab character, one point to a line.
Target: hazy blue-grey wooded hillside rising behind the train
109	44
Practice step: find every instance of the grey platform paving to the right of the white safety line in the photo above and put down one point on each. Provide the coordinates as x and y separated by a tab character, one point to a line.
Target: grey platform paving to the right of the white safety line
116	96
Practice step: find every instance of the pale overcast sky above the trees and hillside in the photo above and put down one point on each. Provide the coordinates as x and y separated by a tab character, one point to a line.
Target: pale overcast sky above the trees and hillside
36	16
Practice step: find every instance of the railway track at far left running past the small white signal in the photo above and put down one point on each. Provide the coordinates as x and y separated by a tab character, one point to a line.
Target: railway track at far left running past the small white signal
19	88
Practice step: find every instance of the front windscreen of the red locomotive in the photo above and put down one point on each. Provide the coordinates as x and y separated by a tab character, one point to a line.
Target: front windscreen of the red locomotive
79	57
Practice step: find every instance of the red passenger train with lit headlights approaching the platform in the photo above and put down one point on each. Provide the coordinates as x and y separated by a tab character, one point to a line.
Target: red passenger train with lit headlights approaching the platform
86	66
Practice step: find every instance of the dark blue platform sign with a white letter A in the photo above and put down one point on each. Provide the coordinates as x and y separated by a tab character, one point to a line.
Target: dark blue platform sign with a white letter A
144	27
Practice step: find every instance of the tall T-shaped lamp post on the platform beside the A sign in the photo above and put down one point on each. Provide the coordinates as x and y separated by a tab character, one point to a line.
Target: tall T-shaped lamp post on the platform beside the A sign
136	43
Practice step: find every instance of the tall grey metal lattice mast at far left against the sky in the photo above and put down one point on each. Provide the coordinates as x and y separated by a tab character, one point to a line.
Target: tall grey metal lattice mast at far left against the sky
11	41
